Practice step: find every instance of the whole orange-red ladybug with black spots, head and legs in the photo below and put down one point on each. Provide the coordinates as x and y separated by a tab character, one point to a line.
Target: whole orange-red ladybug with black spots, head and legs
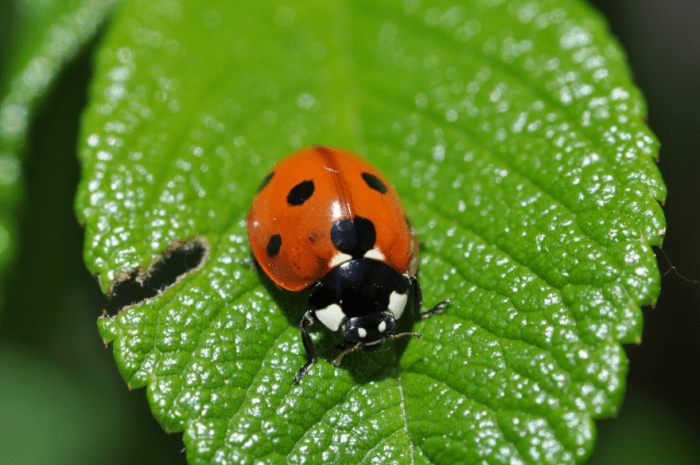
327	219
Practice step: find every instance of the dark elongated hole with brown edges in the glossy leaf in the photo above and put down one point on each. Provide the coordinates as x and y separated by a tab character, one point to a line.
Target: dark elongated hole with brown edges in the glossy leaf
179	259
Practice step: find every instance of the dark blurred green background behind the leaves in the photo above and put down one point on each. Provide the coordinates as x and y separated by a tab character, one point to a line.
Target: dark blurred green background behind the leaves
62	400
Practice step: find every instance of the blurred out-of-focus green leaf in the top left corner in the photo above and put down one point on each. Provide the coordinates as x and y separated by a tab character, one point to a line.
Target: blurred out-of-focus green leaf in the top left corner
47	36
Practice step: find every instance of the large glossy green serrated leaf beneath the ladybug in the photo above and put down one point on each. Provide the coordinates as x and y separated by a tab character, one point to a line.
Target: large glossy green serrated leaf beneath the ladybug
514	135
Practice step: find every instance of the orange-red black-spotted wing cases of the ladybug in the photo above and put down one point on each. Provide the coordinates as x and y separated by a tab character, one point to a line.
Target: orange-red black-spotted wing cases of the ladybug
304	195
